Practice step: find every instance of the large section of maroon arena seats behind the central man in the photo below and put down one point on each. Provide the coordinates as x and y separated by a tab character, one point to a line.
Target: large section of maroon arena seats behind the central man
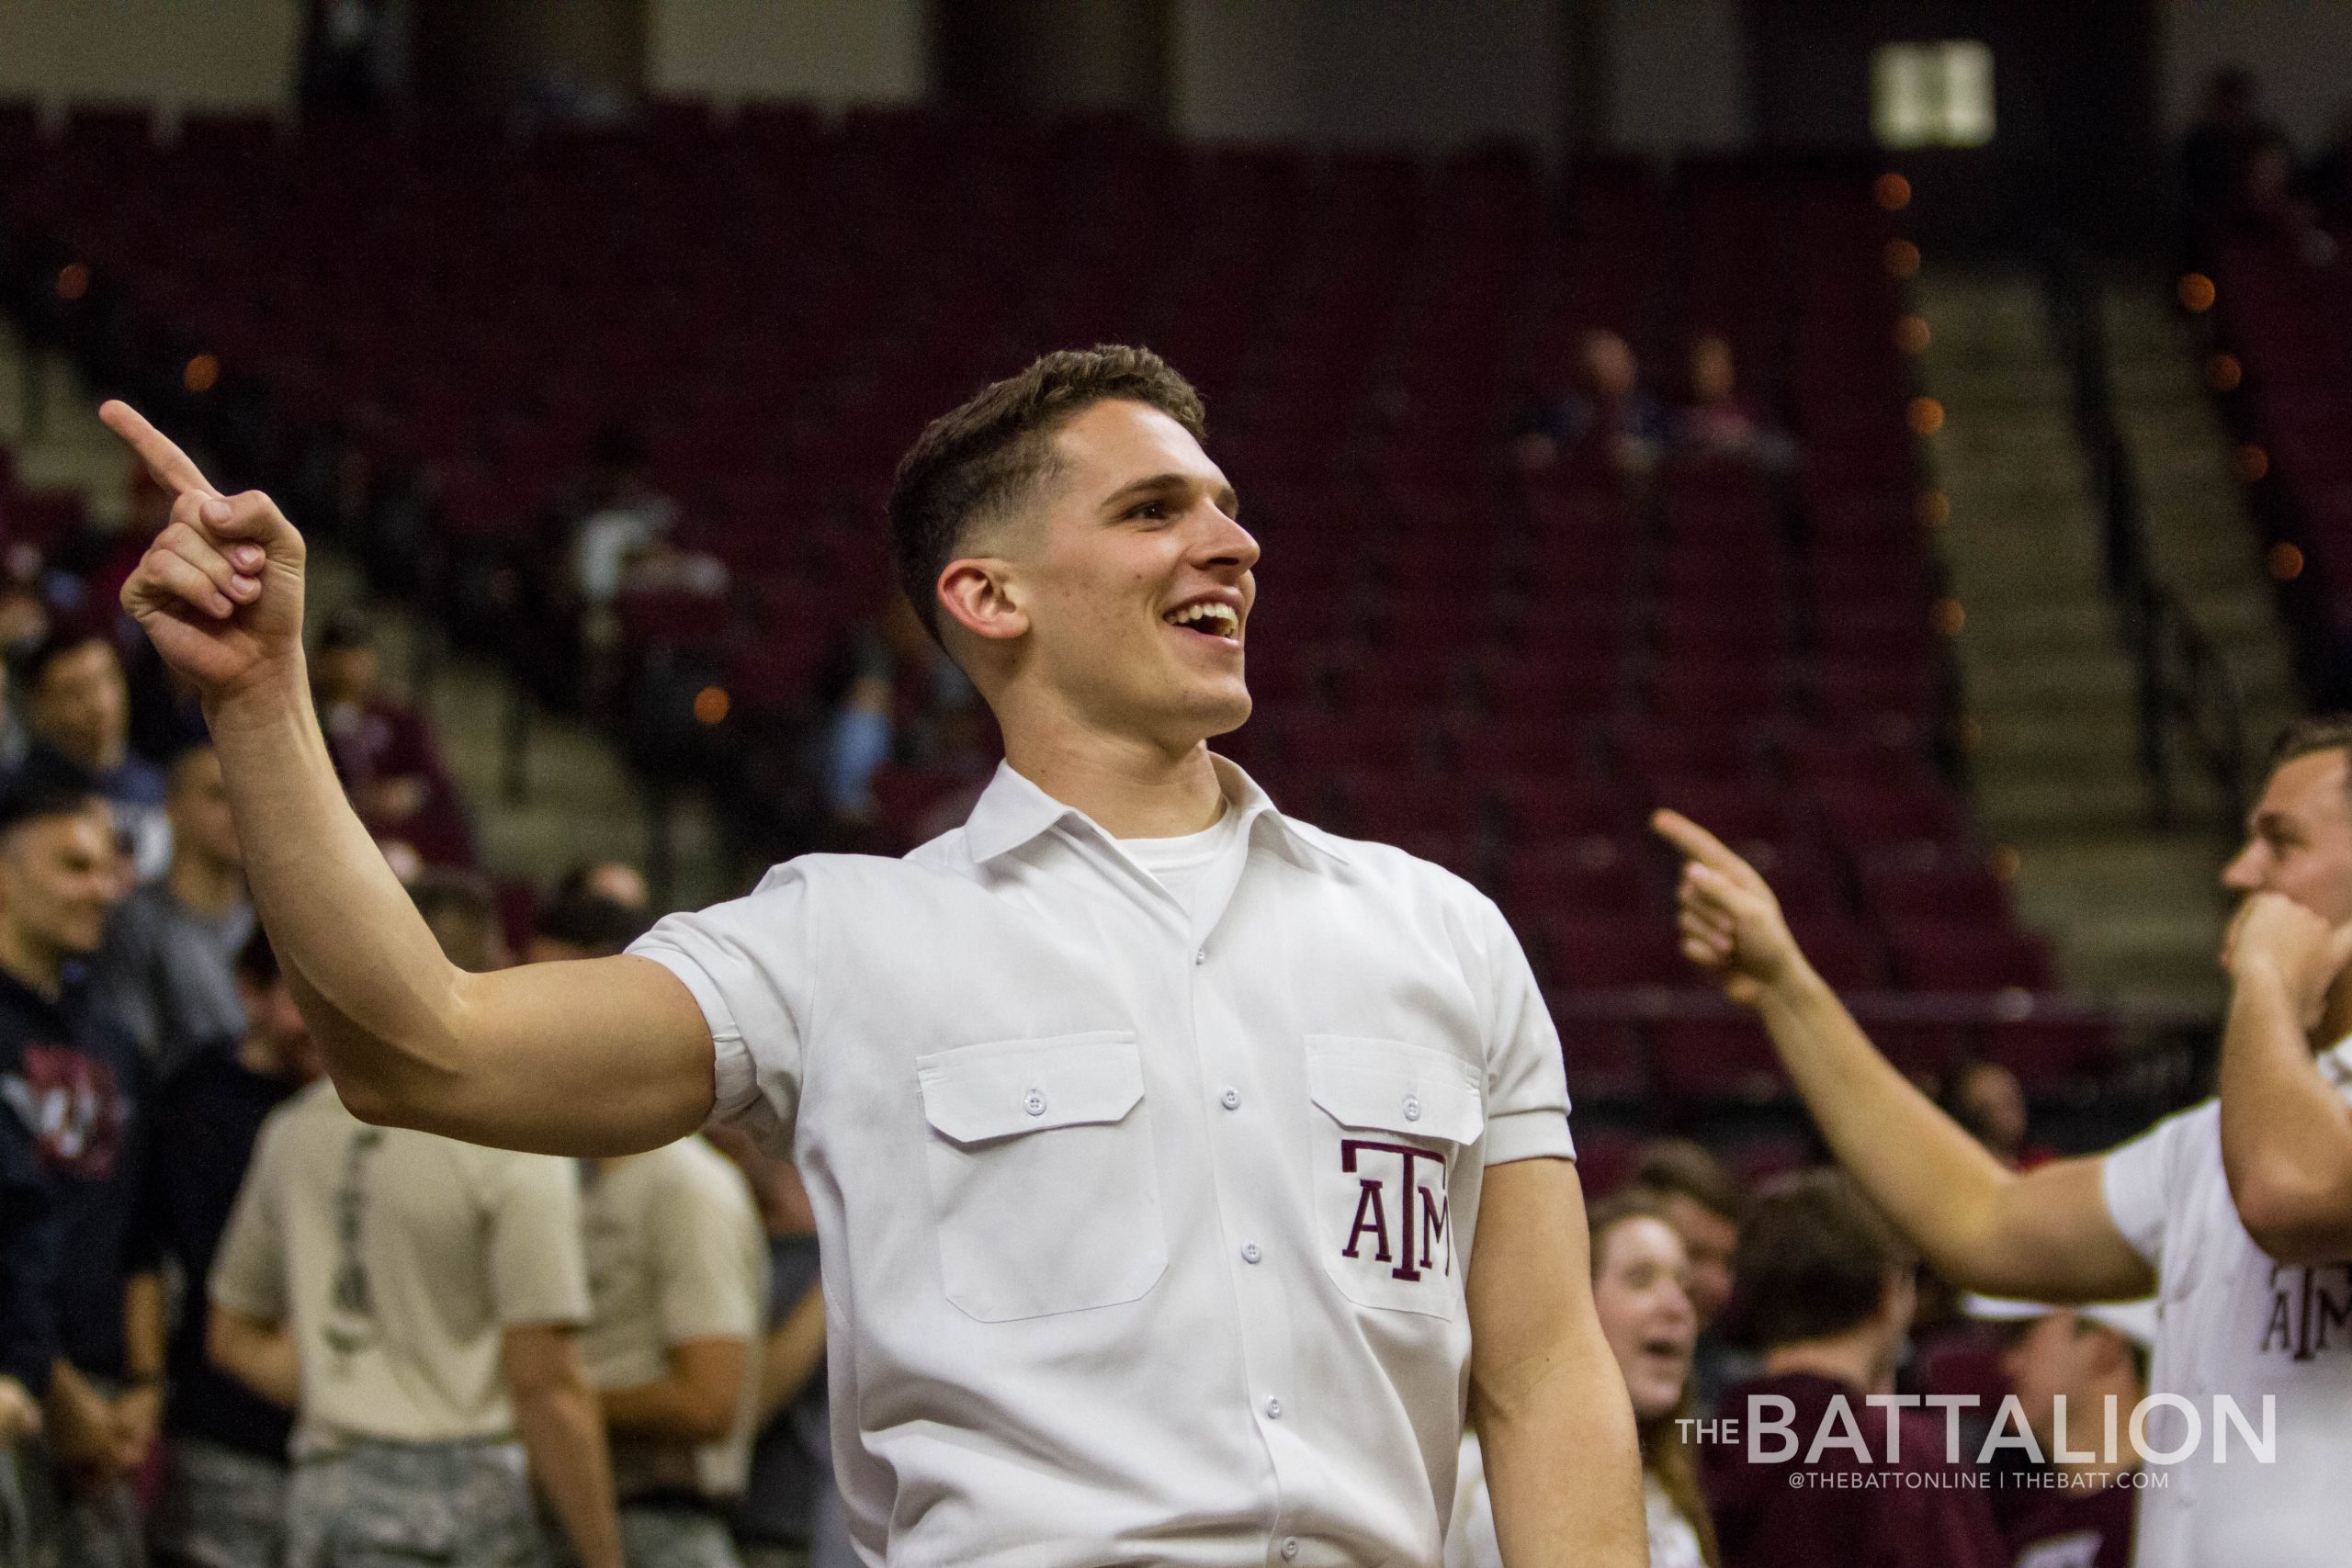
1497	671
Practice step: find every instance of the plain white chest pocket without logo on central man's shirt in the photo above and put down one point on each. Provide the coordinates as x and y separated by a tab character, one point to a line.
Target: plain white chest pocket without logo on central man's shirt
1043	1186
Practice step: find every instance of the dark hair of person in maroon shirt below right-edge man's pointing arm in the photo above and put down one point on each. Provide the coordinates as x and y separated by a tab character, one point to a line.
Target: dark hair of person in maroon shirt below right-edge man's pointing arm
1815	1259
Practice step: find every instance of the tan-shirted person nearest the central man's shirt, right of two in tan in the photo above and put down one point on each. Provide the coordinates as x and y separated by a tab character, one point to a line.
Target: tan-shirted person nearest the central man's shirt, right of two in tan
679	1299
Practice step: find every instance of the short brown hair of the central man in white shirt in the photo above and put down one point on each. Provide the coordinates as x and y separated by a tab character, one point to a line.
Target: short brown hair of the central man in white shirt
987	453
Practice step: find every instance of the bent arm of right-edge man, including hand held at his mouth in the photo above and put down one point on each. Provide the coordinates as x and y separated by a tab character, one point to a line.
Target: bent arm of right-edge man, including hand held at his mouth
2285	1132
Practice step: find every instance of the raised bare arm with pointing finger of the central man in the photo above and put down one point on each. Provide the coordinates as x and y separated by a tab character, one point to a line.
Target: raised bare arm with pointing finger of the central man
601	1057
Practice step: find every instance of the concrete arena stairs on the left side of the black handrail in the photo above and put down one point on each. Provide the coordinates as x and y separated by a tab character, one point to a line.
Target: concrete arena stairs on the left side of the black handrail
2050	685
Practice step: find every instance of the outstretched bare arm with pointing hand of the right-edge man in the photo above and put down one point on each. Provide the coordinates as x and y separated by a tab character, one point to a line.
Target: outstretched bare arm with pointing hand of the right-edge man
2043	1235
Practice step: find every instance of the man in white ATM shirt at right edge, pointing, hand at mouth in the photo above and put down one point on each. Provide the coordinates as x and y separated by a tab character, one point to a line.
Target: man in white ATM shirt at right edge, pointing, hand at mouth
2238	1214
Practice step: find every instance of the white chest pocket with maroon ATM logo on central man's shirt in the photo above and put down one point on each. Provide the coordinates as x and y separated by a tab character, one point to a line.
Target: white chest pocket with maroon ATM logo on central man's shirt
1391	1130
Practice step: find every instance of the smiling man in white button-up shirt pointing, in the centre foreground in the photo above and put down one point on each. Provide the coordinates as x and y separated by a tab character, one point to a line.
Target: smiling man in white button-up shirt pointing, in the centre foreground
1180	1170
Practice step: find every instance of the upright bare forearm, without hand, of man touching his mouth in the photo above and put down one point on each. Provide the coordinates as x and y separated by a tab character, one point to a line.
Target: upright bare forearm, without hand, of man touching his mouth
2285	1134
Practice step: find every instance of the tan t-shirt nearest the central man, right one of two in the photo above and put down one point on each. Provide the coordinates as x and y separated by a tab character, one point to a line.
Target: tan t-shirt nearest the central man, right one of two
676	1254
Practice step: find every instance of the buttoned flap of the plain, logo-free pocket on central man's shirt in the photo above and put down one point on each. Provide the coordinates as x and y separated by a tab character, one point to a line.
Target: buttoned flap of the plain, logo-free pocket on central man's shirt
1015	1087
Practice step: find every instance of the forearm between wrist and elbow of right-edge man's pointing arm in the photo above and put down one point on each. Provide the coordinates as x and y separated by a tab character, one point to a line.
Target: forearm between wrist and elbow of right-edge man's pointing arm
1932	1179
